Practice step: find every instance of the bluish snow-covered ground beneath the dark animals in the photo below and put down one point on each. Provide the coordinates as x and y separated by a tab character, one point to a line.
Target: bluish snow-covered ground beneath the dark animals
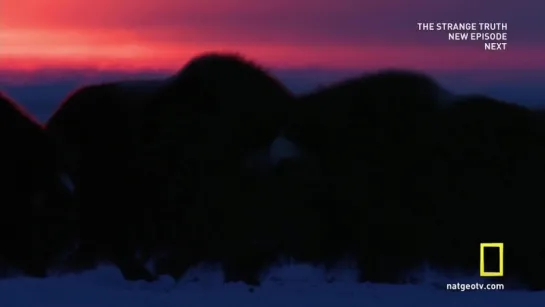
296	286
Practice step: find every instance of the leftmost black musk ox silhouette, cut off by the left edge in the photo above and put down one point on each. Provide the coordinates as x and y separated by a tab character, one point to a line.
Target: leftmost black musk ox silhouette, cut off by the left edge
35	205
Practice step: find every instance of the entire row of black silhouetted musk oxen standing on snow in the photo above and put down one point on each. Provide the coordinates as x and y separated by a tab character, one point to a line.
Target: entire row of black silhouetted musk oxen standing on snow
389	169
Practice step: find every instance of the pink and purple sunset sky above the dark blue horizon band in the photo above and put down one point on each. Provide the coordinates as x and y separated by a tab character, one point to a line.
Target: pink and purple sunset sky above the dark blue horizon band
133	36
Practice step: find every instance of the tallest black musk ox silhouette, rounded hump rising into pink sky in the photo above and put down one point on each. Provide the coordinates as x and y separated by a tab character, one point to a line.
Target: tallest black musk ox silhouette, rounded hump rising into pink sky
213	116
